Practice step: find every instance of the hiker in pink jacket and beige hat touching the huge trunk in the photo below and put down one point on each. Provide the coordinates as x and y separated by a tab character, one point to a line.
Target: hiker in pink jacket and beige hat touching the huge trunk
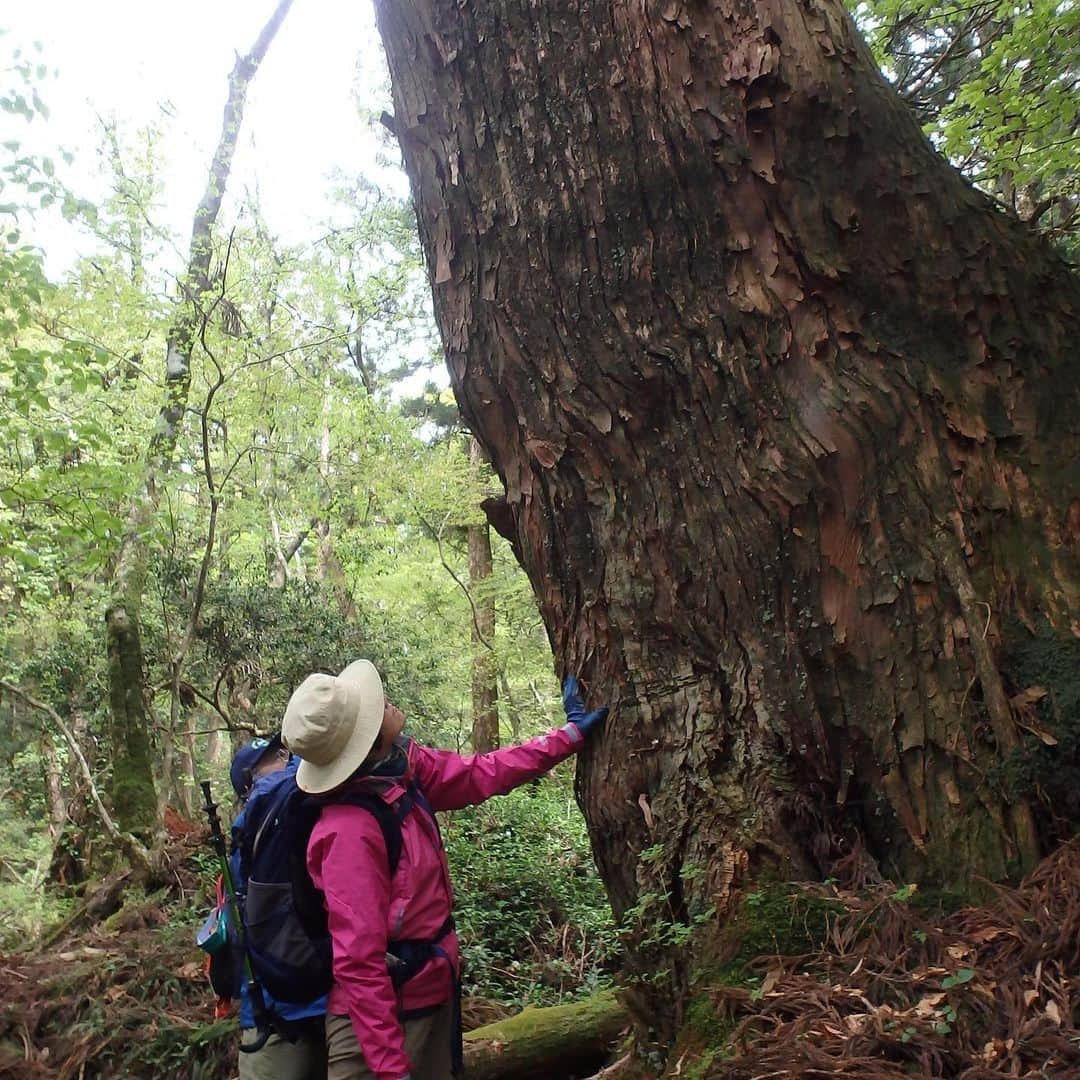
395	1011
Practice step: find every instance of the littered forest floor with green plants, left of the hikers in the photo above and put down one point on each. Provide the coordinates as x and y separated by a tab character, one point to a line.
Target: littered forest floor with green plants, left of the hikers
129	997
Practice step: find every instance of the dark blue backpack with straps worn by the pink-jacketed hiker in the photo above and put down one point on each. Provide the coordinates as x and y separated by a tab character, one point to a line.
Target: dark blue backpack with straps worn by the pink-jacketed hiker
285	917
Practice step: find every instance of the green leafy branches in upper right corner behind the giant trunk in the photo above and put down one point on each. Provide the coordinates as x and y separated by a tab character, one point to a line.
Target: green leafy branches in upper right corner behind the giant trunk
995	85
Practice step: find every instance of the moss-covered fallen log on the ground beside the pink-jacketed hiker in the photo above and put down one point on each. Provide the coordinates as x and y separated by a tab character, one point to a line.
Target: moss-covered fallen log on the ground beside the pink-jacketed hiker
564	1042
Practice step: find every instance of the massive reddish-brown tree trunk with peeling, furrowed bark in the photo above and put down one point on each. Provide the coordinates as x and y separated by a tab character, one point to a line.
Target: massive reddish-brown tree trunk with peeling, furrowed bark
788	420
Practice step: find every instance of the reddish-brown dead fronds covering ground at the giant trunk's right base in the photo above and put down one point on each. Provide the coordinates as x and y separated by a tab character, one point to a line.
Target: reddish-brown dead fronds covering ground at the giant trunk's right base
899	990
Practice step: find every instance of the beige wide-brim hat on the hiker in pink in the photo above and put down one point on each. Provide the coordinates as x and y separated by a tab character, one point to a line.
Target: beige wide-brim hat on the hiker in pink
332	723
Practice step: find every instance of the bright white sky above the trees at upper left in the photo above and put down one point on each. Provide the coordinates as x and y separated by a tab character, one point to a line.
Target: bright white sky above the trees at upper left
155	62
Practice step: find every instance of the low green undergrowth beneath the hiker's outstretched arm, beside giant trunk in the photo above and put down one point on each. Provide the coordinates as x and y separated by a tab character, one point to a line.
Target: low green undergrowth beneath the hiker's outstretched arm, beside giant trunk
532	915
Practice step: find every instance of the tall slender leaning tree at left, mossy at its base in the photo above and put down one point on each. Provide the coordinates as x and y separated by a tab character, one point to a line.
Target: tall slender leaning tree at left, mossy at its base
132	792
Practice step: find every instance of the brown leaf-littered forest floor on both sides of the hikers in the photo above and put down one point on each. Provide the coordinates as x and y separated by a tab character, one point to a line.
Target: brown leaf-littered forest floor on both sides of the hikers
981	994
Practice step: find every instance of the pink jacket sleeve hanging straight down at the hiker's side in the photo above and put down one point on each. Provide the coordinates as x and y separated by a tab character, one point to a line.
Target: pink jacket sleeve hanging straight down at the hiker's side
352	856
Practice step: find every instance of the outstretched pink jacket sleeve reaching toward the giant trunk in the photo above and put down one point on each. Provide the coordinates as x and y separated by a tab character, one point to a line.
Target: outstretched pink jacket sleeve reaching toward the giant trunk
452	781
